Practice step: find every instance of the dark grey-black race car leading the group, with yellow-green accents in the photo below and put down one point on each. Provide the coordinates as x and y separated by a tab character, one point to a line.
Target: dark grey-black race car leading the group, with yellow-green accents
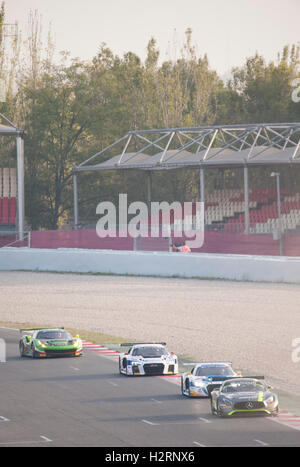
244	396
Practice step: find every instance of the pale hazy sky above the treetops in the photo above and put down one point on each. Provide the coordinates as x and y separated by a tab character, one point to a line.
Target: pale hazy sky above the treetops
228	31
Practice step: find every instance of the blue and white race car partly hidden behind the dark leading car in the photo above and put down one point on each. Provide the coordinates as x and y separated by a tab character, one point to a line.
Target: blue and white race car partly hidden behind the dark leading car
205	377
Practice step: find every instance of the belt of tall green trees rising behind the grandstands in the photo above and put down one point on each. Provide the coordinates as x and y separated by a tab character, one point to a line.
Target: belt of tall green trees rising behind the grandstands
74	109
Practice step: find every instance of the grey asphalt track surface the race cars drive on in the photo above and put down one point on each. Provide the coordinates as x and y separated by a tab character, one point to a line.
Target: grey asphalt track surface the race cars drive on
84	401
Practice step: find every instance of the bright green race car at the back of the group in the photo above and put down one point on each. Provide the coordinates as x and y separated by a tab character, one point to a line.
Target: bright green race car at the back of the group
53	342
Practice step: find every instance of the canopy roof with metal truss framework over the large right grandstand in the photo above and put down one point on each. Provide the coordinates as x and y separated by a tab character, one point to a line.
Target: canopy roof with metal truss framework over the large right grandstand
206	146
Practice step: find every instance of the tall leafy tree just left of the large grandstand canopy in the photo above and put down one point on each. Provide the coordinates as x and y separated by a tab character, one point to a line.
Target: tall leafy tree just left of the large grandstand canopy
56	125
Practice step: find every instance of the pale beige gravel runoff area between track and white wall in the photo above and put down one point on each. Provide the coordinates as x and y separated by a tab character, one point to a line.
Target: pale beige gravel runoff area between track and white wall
250	324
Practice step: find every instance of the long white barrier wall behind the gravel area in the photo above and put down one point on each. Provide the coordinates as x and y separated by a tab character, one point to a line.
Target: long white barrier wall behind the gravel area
202	265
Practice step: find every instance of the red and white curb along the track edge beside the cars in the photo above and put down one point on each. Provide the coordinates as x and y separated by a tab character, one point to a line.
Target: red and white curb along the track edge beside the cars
284	417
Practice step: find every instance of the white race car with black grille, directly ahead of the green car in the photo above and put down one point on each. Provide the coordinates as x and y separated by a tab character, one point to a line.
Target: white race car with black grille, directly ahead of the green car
148	359
